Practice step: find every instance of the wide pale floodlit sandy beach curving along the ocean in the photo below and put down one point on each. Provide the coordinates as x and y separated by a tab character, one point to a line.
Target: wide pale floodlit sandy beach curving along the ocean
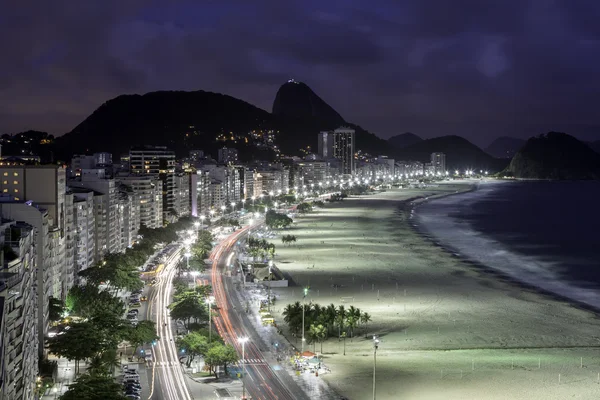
449	330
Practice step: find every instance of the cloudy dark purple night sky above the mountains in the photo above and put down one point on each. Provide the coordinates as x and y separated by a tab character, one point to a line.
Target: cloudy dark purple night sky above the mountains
478	68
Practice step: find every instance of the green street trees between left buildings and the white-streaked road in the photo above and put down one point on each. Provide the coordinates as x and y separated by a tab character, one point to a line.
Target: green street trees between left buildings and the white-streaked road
95	326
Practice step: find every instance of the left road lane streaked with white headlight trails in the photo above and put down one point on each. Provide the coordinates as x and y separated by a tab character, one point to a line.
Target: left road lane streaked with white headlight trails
167	379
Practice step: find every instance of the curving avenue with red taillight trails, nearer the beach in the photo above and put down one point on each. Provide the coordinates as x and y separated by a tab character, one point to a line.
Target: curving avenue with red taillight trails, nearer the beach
262	381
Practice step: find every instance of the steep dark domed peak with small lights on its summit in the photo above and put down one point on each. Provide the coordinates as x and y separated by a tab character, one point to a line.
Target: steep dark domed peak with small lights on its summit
296	100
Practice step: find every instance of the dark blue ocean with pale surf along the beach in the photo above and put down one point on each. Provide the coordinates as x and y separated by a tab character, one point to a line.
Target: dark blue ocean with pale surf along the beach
545	234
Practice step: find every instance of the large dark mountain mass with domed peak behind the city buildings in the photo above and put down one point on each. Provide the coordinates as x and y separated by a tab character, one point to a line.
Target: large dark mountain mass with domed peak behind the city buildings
204	120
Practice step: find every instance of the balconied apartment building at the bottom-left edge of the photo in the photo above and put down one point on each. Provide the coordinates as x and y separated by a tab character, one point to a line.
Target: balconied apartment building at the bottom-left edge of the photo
18	308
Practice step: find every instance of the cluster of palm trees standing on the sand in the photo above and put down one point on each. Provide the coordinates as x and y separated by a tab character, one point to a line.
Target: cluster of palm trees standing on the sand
322	322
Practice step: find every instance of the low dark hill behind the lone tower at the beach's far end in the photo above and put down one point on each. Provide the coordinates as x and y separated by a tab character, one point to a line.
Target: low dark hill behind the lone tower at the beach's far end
460	154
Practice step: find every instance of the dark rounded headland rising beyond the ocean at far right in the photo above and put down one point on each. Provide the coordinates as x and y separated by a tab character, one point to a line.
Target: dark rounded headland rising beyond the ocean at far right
555	155
